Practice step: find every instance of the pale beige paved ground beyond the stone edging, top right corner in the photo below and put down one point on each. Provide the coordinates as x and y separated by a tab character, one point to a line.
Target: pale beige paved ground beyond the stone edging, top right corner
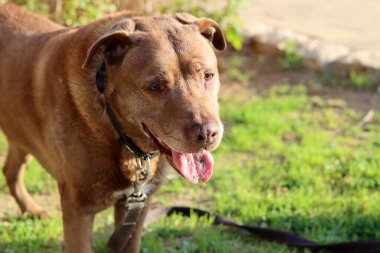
349	23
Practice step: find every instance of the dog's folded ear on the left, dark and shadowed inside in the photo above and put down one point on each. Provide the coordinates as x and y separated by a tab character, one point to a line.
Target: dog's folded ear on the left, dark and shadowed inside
111	47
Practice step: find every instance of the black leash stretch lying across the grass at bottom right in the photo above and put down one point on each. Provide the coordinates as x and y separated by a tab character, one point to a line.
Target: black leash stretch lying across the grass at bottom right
268	234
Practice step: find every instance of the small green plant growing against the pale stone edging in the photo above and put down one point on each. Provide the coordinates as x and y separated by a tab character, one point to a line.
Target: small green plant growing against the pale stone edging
292	59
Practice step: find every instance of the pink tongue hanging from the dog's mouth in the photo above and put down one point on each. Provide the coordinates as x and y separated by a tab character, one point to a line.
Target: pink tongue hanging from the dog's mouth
193	166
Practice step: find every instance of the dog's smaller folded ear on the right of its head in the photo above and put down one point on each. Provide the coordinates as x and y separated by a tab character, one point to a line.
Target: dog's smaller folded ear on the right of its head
207	27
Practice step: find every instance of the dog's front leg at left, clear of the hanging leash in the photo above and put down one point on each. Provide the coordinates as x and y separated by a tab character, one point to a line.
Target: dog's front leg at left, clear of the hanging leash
77	225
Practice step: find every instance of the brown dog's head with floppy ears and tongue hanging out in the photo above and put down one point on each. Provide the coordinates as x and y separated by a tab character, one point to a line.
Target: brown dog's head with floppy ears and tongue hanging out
163	83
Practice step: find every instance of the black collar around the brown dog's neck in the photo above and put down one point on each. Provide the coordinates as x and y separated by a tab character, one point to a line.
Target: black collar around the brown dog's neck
123	139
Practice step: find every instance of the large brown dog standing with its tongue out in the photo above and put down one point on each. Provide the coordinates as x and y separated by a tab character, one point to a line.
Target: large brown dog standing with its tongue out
161	81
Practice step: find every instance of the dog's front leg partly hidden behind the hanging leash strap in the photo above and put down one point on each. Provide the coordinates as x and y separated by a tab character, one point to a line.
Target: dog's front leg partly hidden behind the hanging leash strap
133	245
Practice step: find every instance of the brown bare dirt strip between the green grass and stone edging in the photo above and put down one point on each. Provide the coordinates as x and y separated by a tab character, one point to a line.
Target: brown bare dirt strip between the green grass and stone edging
266	72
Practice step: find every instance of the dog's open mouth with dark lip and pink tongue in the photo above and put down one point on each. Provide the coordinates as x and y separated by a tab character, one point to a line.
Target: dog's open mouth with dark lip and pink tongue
194	167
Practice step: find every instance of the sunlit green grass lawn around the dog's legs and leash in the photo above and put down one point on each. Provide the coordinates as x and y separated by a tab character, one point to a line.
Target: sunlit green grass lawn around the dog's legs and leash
285	162
